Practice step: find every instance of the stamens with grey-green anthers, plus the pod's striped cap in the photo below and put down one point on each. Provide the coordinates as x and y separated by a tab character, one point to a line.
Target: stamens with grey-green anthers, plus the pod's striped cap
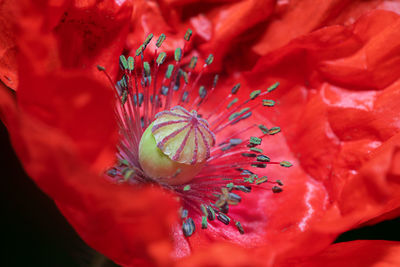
144	99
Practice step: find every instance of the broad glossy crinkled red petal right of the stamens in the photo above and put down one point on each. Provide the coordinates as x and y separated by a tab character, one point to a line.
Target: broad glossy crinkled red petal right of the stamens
344	138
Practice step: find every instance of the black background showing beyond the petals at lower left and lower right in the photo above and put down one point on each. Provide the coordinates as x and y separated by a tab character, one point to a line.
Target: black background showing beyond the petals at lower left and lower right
36	234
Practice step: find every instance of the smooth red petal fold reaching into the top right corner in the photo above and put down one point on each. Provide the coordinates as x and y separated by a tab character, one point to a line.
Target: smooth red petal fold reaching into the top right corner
302	17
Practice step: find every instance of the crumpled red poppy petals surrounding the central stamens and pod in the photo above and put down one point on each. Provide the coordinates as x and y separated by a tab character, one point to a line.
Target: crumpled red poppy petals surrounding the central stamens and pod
336	105
